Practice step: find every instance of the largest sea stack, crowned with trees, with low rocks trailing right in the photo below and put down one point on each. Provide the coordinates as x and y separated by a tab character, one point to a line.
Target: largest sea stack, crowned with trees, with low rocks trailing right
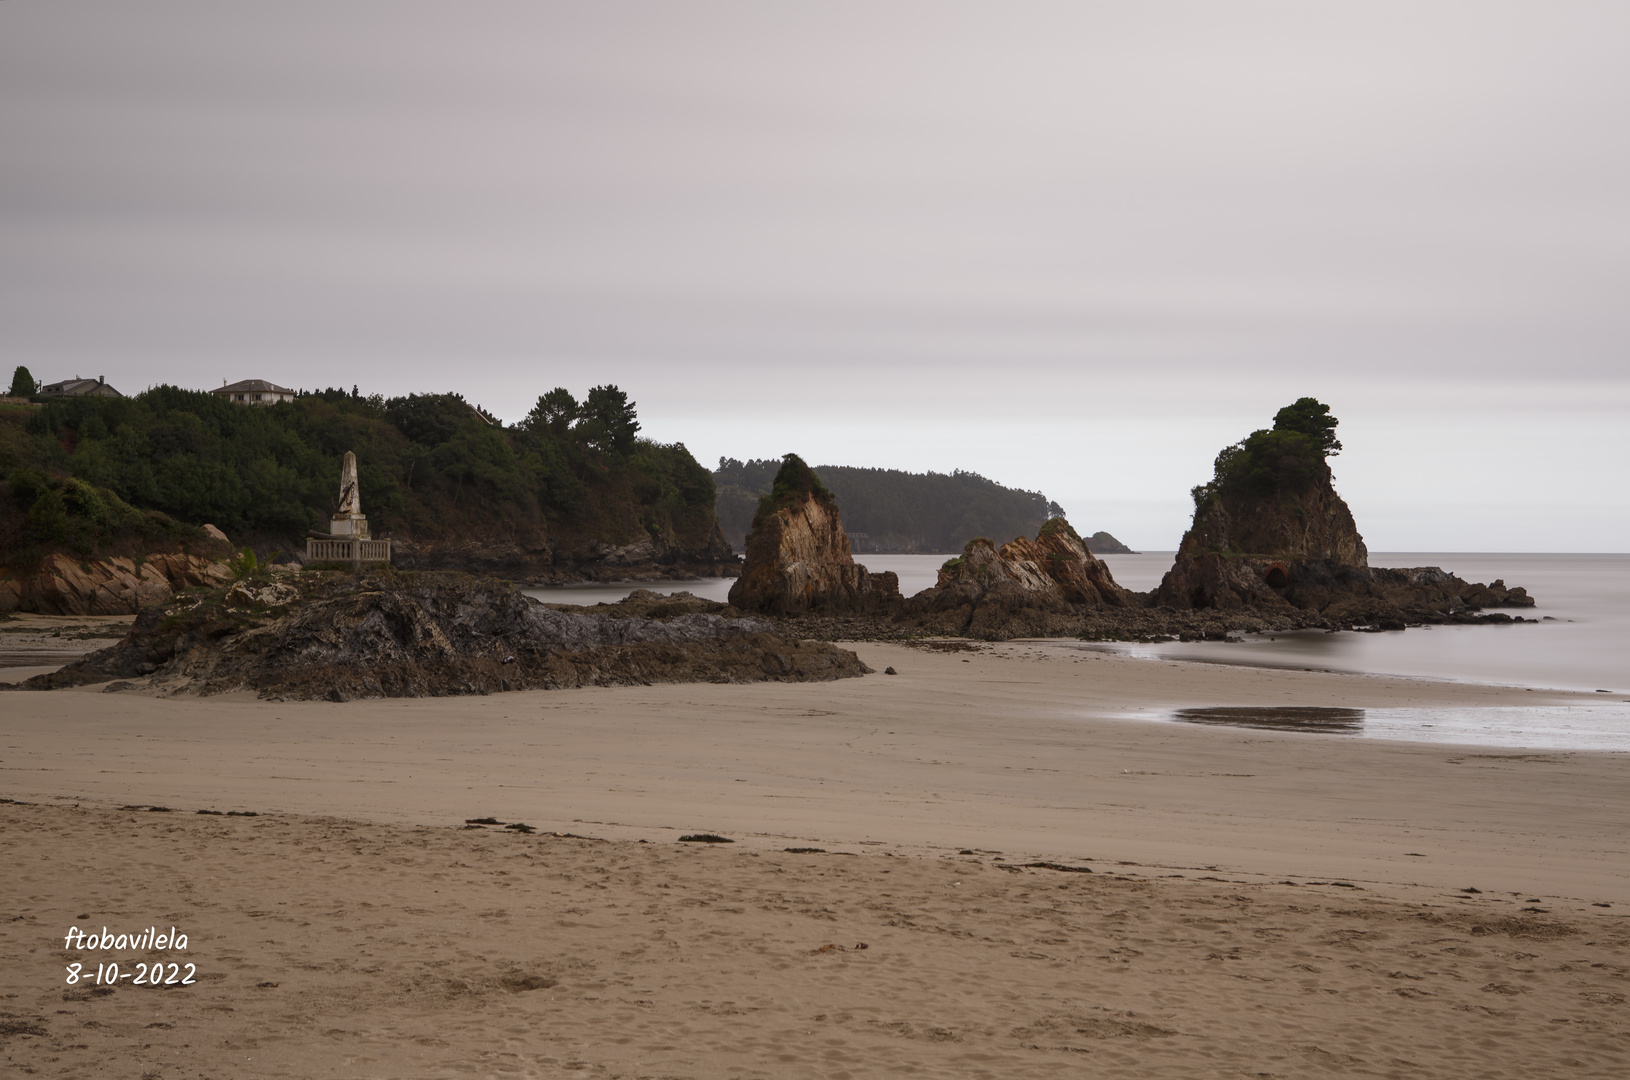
1271	533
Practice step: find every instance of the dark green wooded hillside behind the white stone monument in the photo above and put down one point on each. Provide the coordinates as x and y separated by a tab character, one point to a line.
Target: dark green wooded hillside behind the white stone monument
570	483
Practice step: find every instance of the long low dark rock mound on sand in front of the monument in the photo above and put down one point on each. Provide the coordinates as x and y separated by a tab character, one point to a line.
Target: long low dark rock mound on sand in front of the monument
335	636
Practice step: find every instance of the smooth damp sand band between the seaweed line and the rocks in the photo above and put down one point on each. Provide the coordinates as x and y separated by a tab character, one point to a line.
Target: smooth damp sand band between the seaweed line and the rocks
1011	747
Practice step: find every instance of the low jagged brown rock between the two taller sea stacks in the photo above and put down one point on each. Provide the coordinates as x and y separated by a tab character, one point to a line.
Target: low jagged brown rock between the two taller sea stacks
1024	587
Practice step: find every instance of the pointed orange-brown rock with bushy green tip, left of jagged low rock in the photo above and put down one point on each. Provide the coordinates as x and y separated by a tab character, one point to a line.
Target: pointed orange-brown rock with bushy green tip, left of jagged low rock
798	555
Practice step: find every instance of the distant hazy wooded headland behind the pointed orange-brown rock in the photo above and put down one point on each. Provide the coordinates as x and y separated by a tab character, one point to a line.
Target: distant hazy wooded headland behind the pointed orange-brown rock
897	512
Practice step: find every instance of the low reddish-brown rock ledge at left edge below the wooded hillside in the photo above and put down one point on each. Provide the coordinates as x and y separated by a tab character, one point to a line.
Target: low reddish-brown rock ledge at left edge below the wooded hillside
110	587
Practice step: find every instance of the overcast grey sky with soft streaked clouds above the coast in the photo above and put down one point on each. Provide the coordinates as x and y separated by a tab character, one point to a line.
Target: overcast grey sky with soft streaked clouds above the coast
1073	247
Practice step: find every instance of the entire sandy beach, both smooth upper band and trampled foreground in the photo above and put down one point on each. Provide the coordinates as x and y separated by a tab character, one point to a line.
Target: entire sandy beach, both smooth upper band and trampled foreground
1261	903
